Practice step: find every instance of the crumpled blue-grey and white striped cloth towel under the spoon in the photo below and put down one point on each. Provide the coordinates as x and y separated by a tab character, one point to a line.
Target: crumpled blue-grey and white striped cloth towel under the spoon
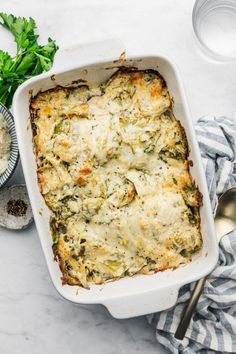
213	327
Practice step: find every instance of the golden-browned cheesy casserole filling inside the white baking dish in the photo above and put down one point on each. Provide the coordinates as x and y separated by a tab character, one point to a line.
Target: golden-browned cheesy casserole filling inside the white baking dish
113	168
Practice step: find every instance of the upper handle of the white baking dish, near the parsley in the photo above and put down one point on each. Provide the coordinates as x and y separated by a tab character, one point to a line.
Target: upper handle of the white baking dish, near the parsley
70	58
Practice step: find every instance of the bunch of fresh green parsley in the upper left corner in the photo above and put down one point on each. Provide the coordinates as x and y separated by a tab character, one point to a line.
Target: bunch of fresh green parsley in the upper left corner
31	58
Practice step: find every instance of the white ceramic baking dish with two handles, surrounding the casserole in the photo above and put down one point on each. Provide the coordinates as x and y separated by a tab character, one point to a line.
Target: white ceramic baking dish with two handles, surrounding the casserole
141	294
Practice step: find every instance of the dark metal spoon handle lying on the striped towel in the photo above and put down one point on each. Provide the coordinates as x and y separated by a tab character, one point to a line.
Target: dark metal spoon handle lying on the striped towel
190	308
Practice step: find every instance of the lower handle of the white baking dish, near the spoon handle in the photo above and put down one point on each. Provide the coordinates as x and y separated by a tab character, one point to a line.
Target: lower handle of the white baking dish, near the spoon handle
142	304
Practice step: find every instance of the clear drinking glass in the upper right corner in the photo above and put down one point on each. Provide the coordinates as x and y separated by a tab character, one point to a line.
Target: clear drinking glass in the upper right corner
214	24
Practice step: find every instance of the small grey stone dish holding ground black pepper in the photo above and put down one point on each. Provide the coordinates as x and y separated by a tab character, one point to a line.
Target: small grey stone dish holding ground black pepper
15	209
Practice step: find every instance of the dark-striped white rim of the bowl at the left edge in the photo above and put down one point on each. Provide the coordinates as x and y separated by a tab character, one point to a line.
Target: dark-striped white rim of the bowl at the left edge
14	153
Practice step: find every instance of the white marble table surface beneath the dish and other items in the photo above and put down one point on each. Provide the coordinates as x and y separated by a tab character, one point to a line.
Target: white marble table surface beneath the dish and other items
34	318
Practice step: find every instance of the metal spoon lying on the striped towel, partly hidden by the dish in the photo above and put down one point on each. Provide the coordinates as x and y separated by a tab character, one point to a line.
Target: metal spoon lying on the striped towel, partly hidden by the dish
225	222
